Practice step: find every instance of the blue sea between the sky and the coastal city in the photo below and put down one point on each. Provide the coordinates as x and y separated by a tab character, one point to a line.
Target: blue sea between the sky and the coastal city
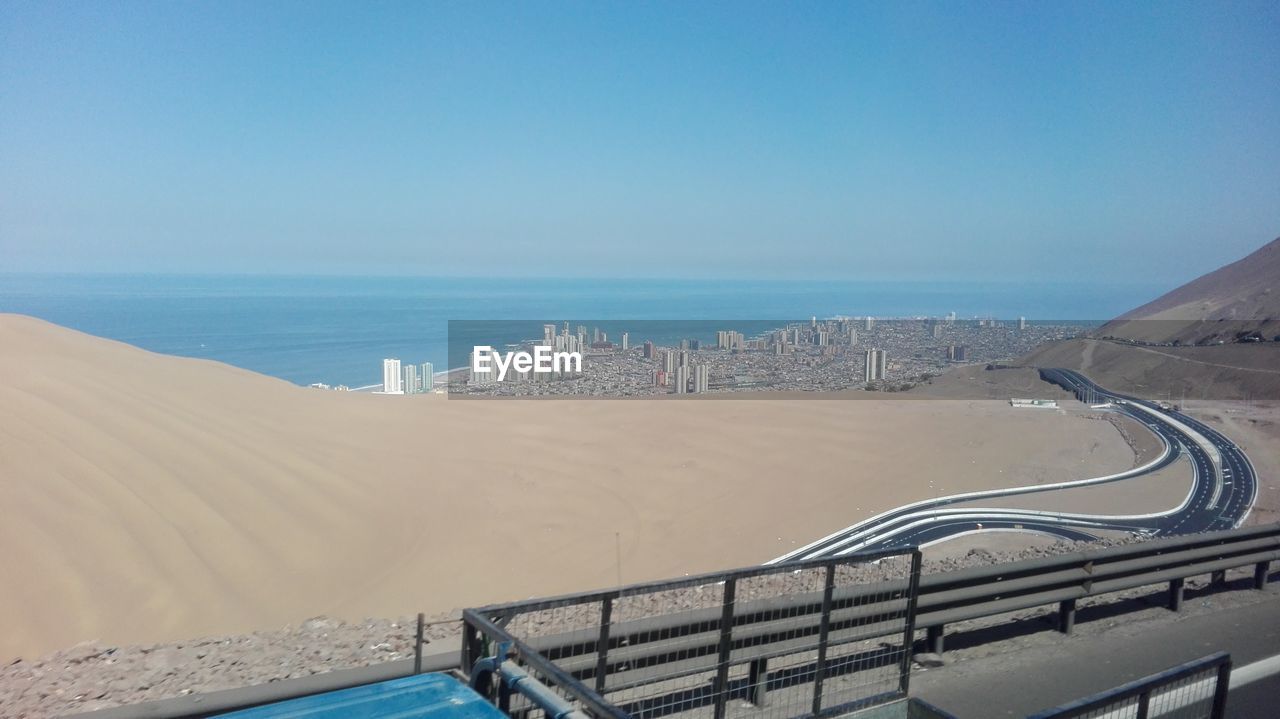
339	329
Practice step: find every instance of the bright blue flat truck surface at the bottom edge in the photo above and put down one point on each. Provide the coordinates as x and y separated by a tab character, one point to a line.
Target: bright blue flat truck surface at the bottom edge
437	697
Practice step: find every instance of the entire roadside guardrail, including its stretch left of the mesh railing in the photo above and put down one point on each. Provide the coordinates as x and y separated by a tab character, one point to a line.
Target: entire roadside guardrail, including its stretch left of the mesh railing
944	599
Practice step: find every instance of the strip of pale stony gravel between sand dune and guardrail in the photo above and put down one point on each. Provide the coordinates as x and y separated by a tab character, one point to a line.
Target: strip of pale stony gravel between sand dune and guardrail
94	676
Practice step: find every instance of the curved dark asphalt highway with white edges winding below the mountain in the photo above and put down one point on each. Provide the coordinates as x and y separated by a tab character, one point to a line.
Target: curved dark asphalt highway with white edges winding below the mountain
1223	491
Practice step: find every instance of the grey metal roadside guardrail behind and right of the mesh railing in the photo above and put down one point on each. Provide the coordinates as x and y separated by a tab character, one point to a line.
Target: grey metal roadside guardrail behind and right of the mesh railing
949	598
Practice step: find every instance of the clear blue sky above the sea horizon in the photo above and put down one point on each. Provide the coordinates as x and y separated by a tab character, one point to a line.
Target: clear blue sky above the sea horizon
831	140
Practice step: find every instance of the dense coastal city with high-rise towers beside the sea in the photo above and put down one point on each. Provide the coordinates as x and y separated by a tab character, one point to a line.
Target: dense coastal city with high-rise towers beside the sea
817	356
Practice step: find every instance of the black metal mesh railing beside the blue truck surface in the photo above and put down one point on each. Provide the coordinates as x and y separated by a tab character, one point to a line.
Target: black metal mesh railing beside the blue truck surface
806	639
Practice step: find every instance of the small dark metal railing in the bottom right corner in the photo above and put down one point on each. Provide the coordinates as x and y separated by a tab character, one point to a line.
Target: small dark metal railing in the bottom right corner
1196	690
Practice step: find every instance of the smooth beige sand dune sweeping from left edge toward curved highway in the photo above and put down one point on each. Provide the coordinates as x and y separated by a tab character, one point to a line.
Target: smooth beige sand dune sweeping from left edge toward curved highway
150	498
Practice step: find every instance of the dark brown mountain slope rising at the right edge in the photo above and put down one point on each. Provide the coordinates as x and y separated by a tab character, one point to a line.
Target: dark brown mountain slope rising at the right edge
1240	299
